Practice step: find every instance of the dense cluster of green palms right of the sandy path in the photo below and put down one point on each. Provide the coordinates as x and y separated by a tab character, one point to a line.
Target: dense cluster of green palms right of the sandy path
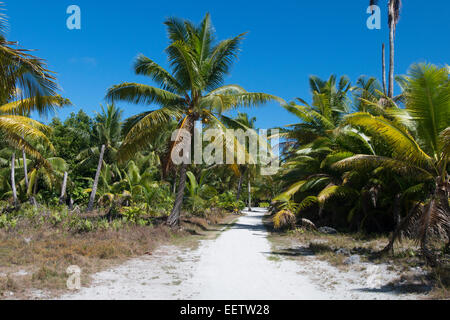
383	155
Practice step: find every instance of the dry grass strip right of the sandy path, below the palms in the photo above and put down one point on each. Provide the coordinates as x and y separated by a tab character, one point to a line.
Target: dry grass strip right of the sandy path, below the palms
405	257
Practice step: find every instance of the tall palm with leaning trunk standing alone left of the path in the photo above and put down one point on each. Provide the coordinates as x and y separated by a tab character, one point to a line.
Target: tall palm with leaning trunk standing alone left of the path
192	92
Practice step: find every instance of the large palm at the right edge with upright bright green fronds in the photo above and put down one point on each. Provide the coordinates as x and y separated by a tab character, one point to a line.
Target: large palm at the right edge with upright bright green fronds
417	138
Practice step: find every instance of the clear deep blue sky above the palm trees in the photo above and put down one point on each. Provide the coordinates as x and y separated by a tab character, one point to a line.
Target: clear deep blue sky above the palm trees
288	40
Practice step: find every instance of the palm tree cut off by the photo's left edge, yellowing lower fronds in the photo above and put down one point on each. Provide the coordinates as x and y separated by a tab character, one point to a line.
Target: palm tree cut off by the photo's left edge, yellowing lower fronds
26	85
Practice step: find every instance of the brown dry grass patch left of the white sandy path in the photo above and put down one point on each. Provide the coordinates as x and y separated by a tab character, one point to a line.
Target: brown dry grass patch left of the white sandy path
36	257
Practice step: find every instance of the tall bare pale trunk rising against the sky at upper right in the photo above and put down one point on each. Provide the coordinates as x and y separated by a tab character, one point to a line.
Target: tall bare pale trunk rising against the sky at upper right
394	7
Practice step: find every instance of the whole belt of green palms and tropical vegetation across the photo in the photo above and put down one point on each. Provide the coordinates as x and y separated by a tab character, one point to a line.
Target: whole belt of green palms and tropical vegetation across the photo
359	158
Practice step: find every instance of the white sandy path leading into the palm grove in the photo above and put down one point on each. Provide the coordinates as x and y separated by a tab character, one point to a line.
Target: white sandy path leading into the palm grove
237	265
